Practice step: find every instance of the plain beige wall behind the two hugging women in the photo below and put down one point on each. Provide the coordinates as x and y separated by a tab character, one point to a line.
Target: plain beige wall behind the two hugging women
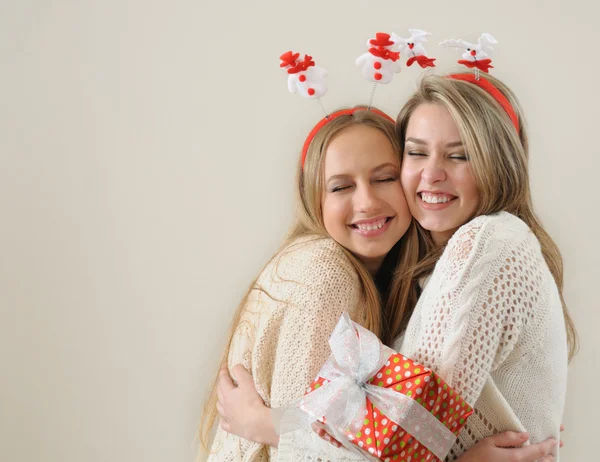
147	151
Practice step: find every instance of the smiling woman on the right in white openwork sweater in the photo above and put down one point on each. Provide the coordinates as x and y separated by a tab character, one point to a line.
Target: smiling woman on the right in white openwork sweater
490	317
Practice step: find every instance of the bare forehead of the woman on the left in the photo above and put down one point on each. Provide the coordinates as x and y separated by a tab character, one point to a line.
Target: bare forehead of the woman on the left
358	148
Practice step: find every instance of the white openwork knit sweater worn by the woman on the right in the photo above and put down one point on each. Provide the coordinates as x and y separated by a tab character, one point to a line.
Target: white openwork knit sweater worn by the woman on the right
490	322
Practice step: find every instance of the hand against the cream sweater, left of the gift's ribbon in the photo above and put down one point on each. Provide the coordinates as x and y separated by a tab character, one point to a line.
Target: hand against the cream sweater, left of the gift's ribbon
241	408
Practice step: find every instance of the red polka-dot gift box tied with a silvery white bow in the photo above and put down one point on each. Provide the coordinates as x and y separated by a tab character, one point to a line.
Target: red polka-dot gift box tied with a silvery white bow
402	411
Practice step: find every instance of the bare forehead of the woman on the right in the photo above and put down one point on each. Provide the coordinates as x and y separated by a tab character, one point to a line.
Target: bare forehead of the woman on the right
433	123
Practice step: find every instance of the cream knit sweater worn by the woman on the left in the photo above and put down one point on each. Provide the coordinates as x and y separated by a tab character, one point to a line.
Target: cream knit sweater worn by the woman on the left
284	333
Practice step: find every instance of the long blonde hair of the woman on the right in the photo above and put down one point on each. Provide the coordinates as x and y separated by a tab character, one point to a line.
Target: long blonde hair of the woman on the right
499	157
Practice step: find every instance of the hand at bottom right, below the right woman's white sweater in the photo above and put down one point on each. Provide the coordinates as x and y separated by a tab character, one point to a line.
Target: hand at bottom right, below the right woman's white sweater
505	447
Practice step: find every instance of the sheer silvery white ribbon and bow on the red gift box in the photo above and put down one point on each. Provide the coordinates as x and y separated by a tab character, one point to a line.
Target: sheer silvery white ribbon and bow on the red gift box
357	355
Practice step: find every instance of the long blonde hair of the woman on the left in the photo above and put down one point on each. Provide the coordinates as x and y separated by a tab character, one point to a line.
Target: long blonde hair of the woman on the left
309	223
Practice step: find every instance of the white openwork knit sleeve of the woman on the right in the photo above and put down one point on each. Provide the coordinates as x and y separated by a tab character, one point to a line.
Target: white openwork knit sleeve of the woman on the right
472	310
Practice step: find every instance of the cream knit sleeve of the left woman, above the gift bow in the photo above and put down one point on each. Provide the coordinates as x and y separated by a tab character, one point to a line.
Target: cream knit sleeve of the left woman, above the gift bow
293	338
